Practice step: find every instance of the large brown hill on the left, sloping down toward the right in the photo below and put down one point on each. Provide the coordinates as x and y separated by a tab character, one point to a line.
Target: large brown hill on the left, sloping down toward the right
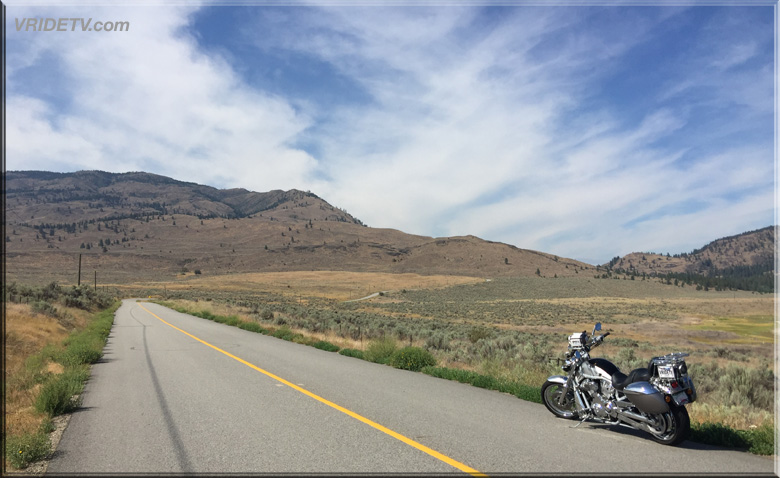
140	227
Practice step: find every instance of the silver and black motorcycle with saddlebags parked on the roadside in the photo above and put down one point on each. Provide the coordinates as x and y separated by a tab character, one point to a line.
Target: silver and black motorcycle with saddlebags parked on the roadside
650	399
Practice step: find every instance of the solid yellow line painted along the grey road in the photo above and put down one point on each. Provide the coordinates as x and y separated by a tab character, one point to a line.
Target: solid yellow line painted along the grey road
383	429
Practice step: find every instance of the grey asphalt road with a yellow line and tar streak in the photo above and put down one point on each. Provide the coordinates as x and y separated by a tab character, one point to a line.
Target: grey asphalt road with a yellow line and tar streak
165	400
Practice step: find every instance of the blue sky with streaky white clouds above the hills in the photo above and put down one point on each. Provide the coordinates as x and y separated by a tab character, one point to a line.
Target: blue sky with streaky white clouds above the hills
582	131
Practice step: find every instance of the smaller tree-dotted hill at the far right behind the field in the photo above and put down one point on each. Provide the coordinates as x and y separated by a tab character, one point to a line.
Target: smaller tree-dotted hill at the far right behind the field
744	261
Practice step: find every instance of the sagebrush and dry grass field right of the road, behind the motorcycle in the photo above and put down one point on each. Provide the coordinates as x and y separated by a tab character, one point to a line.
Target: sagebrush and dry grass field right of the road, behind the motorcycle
505	331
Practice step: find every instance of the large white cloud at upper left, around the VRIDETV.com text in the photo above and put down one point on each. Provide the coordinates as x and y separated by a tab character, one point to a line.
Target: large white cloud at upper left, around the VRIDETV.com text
149	99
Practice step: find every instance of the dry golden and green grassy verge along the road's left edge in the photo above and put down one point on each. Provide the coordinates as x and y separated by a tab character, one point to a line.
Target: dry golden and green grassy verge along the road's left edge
51	335
